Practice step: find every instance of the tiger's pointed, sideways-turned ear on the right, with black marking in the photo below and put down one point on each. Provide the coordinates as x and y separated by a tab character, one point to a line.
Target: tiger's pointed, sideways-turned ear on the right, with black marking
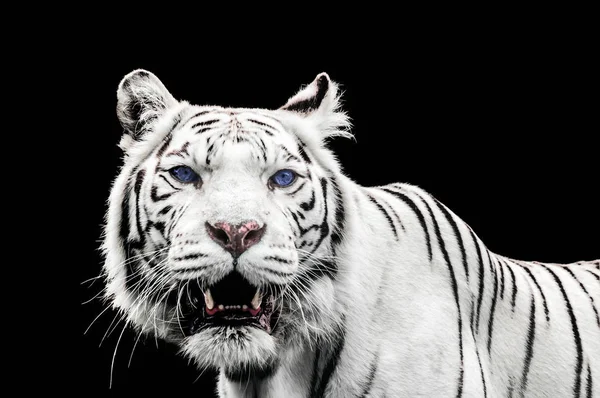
320	101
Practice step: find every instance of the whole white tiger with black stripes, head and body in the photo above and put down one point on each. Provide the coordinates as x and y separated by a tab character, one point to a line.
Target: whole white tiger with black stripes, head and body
366	292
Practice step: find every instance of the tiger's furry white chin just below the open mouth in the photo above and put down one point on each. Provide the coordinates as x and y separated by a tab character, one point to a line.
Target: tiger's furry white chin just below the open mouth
241	352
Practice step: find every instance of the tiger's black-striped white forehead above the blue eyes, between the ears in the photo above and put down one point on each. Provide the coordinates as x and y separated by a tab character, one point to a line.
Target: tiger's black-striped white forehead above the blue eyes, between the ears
215	133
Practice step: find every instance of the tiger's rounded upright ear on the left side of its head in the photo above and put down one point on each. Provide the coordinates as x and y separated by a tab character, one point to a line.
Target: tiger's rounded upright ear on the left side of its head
141	100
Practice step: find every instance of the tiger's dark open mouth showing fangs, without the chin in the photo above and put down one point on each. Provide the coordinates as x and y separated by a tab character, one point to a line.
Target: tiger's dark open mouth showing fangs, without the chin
232	301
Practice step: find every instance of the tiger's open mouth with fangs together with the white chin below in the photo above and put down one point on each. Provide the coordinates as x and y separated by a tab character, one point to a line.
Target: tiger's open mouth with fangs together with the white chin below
231	325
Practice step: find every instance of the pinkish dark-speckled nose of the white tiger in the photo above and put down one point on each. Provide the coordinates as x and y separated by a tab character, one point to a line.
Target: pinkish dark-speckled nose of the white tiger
236	239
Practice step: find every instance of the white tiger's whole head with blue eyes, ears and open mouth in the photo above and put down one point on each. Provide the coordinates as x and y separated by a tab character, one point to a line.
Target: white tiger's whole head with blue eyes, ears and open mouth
222	224
